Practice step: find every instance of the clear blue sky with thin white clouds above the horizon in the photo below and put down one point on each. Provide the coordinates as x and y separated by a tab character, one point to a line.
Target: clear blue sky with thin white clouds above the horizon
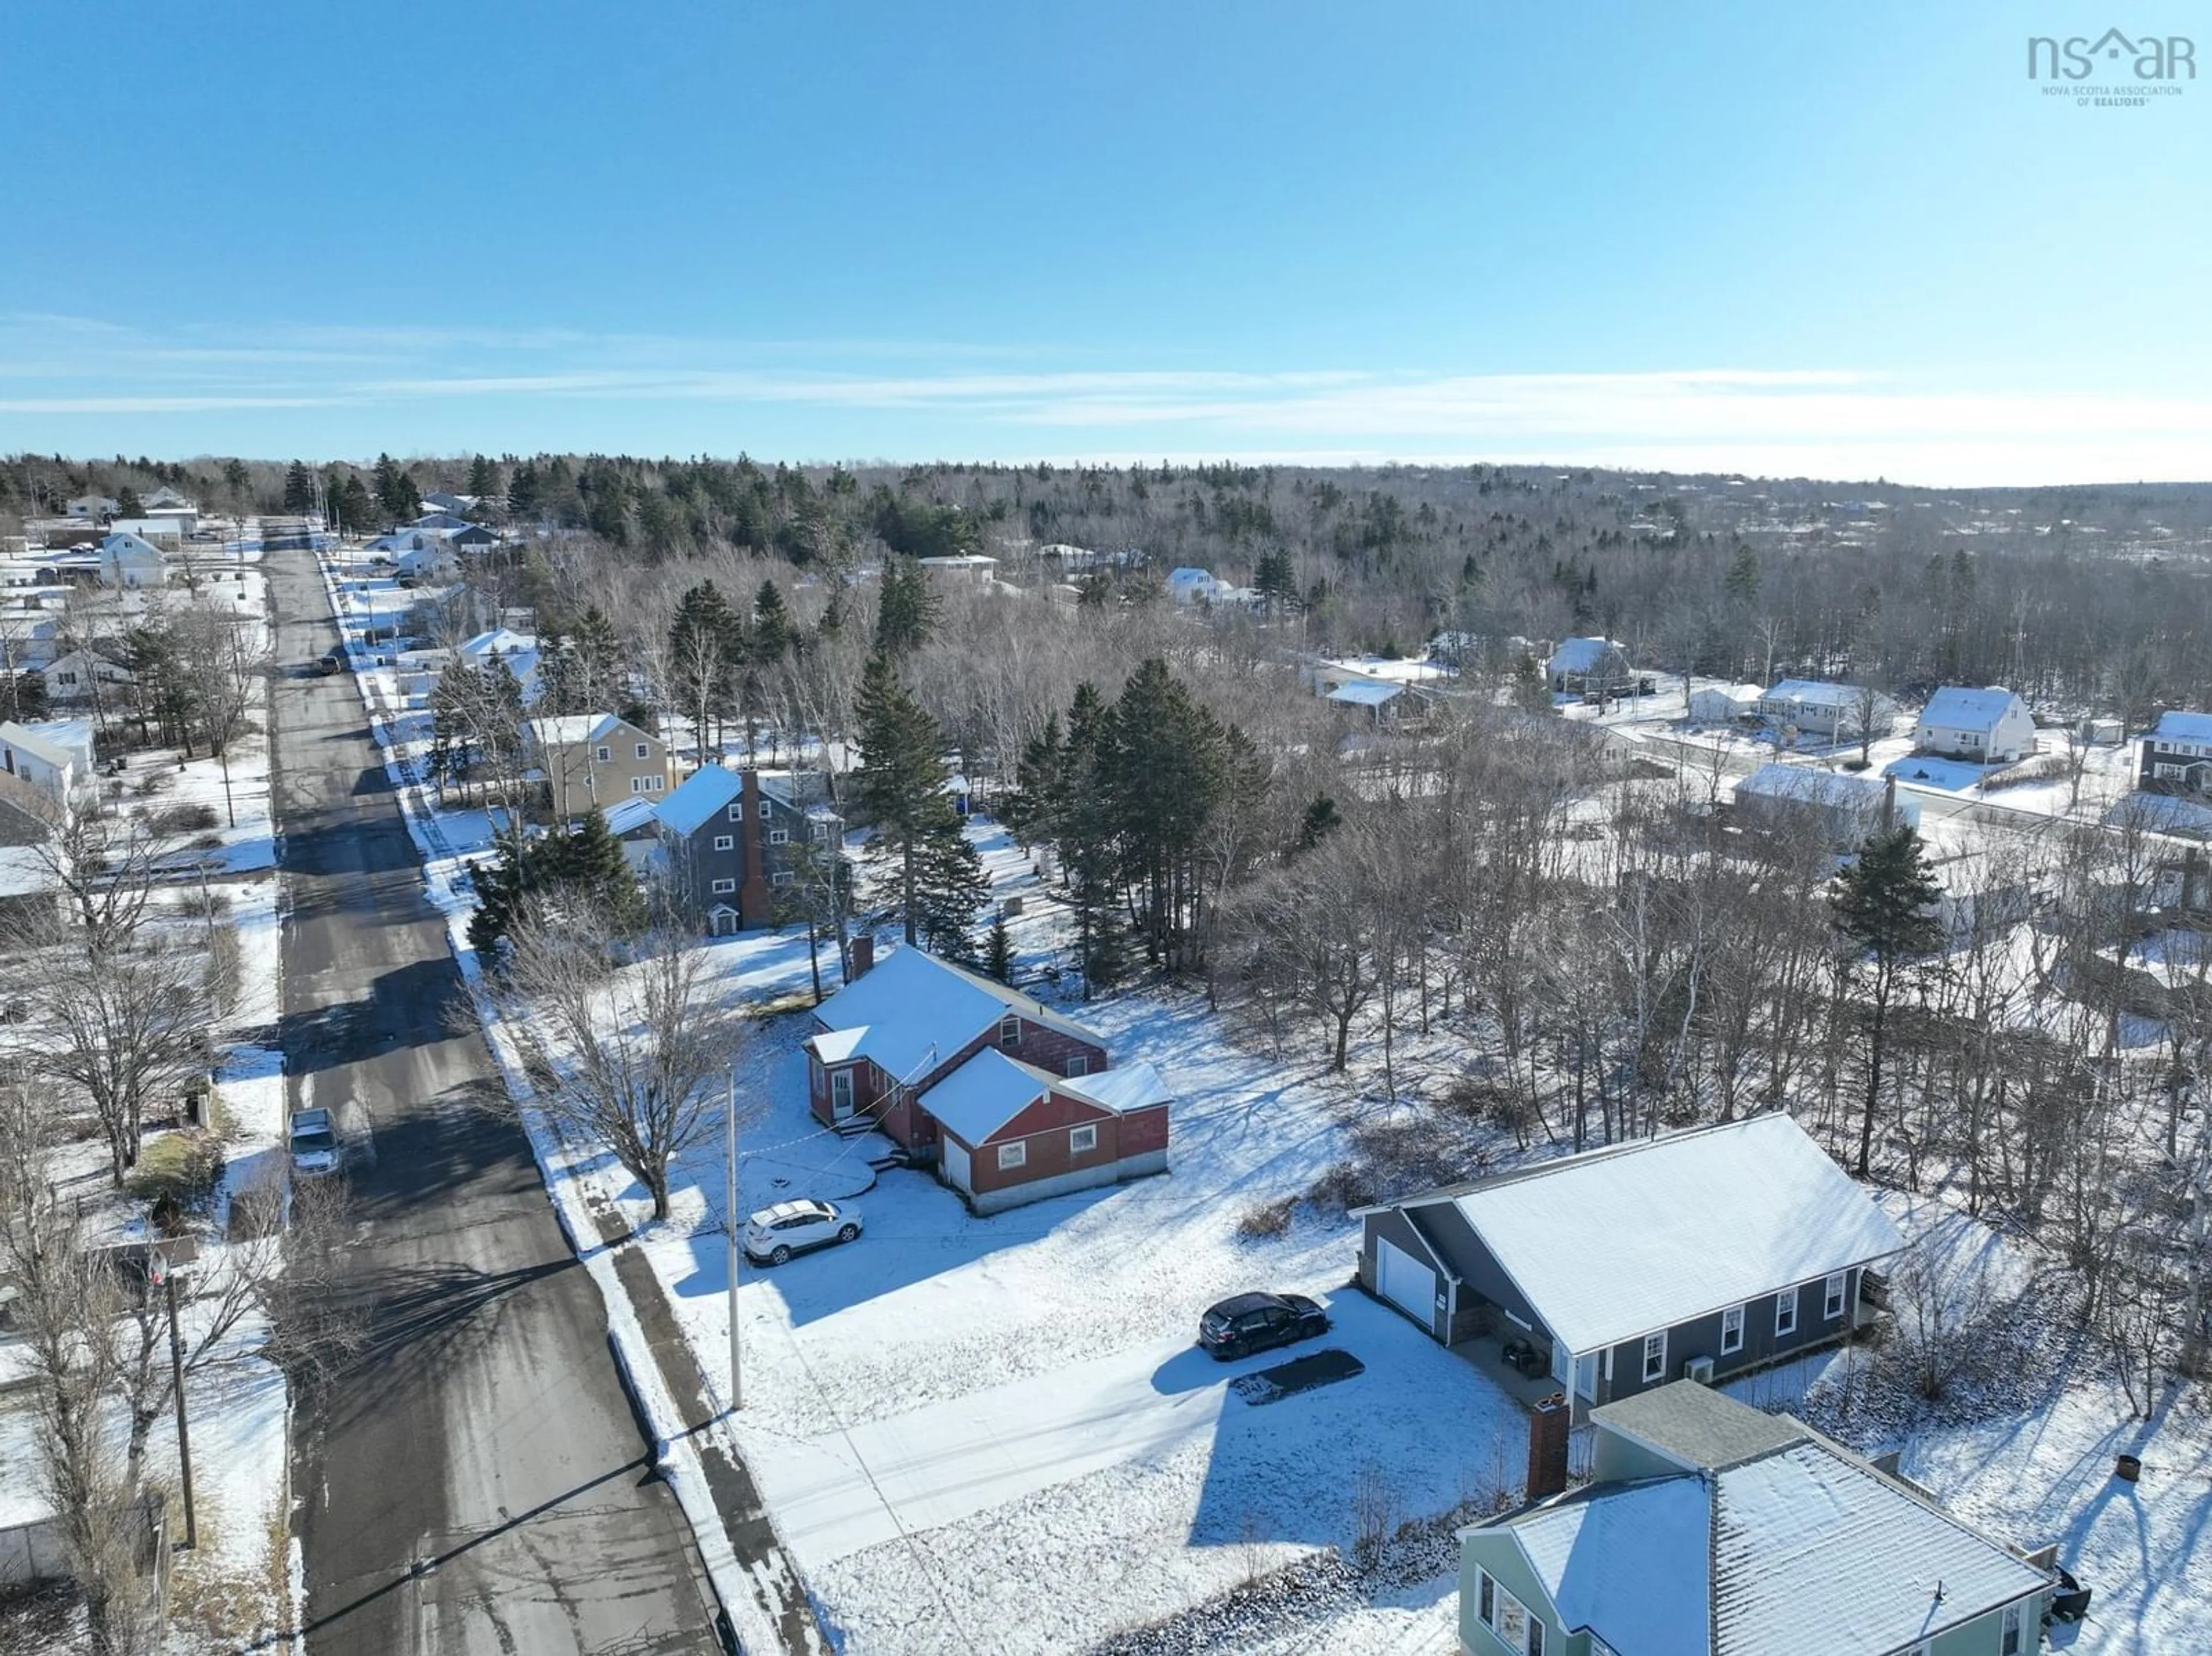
1837	240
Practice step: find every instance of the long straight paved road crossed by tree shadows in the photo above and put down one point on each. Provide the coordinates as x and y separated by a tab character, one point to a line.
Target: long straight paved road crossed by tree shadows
477	1482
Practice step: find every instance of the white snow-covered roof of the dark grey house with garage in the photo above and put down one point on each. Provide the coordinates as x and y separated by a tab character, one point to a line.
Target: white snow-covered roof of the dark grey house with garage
1616	1244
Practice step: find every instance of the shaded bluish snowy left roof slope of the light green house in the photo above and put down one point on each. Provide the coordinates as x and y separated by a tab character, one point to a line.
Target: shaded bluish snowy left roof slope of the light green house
1629	1562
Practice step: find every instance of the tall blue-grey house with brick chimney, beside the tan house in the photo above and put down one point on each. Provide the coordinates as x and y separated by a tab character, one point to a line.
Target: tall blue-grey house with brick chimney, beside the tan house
733	839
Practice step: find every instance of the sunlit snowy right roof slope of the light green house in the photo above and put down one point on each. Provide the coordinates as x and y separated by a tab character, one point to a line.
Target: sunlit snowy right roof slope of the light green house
1815	1551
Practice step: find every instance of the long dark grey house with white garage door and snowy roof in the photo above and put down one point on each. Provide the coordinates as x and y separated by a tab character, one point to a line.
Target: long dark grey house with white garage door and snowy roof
1698	1255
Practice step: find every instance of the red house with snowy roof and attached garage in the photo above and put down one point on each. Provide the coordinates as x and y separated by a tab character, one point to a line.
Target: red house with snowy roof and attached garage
1008	1098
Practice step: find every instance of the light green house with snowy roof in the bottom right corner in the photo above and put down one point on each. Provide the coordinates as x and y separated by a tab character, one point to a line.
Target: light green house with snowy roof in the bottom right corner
1720	1531
